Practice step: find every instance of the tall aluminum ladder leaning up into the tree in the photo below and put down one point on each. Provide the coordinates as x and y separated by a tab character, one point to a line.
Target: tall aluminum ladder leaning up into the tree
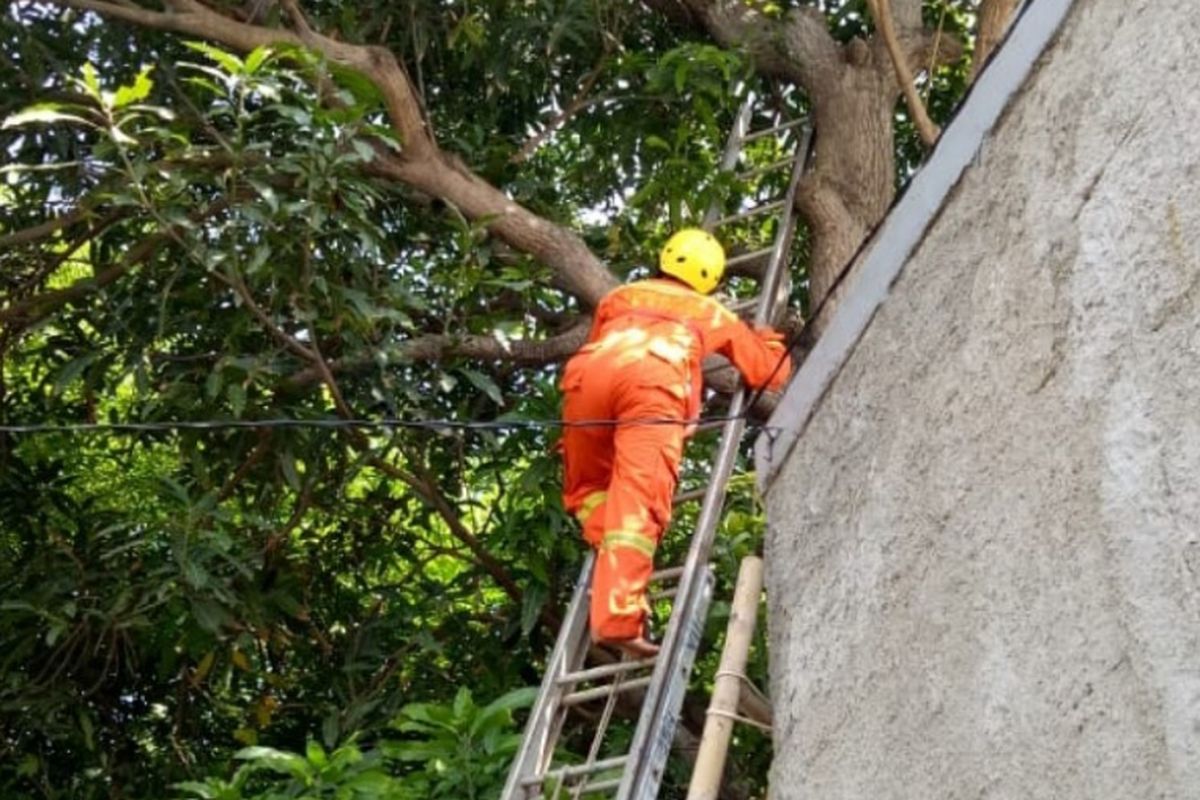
658	684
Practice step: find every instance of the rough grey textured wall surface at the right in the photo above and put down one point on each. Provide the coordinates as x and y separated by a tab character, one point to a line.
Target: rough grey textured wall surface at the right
985	551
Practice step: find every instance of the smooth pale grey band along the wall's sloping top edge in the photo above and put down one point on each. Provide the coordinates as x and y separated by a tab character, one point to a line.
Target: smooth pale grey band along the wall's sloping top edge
904	228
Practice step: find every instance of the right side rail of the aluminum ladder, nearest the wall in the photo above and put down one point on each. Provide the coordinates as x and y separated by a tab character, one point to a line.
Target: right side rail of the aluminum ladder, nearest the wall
643	781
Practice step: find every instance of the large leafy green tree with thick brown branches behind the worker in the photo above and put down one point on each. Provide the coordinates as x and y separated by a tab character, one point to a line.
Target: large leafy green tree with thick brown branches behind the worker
249	213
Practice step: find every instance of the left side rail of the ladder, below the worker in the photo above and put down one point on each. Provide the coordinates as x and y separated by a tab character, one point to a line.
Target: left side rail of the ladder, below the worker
541	727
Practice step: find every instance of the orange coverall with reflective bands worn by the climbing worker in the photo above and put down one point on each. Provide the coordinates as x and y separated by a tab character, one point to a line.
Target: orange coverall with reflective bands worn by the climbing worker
643	362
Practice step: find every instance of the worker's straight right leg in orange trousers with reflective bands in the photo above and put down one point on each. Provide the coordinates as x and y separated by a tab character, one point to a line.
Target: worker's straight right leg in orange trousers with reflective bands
637	512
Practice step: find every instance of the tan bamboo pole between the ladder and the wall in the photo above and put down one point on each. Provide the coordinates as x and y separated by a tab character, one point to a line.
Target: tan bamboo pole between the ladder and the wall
715	744
